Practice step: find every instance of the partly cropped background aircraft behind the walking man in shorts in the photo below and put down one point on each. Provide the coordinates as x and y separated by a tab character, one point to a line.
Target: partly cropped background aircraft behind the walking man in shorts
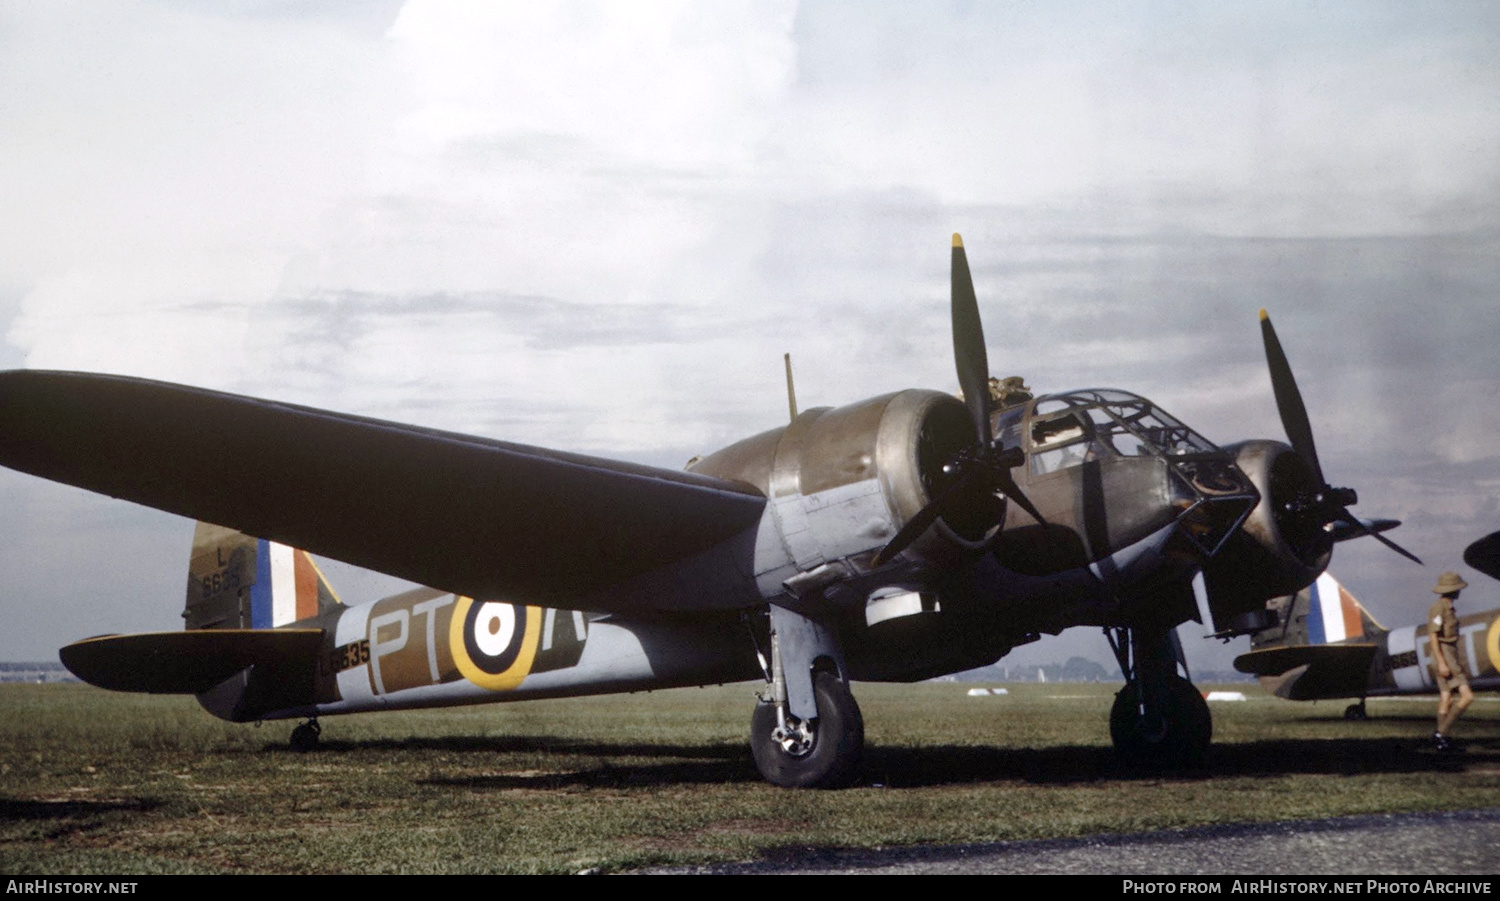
1325	645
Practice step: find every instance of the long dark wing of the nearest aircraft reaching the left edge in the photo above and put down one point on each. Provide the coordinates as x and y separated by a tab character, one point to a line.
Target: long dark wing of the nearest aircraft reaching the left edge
467	515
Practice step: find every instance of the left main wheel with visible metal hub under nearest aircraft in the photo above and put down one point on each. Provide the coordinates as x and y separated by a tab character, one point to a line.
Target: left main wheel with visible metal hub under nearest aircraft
823	753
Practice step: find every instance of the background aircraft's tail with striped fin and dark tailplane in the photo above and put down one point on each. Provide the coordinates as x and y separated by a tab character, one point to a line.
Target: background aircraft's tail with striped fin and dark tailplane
1322	647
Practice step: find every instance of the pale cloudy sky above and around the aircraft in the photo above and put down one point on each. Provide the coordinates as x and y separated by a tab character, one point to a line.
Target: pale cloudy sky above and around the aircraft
598	227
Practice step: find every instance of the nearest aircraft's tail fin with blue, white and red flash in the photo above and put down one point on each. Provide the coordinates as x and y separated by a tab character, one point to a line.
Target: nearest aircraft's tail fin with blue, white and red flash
241	582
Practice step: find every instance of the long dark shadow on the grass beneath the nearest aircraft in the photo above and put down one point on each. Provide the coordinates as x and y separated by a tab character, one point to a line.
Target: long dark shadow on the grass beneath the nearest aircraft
592	764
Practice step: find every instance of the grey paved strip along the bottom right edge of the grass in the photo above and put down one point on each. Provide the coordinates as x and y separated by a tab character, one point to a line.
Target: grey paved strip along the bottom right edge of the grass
1456	843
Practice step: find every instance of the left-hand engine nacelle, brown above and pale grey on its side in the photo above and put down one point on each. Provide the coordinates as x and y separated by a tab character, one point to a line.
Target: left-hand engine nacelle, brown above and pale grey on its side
844	480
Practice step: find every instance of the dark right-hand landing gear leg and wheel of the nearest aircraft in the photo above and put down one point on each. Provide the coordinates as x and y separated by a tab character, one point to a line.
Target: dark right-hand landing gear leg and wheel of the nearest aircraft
1159	720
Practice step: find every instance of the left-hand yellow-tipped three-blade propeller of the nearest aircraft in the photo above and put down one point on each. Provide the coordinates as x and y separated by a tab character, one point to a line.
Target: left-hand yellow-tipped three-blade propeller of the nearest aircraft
985	467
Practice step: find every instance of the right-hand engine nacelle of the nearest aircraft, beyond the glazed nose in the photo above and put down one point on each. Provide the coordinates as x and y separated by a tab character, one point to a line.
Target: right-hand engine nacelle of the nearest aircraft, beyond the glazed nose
1279	551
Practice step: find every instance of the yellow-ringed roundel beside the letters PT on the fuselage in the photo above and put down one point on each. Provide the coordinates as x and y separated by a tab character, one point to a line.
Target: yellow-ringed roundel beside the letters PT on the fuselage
494	644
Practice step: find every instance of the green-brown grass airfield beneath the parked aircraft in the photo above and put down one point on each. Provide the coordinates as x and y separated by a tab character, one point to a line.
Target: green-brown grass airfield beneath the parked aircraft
103	783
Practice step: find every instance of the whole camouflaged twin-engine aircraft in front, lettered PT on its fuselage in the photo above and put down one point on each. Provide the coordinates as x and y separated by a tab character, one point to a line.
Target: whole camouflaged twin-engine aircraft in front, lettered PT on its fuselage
896	539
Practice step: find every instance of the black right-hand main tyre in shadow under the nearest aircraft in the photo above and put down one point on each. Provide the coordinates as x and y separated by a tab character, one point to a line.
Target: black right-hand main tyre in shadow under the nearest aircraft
1174	737
